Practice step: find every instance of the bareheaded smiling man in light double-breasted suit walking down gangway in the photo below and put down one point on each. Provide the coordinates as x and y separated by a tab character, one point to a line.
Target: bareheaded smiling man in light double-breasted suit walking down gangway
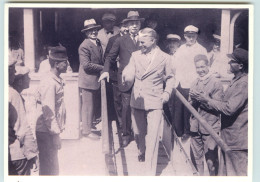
148	69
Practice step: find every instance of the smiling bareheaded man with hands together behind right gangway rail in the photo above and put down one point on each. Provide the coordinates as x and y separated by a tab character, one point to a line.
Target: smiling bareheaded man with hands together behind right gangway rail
202	144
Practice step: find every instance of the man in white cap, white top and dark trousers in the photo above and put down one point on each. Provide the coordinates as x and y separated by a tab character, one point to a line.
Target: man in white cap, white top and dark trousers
185	75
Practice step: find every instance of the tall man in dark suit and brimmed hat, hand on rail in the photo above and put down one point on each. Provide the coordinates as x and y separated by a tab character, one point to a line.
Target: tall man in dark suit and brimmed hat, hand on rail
123	47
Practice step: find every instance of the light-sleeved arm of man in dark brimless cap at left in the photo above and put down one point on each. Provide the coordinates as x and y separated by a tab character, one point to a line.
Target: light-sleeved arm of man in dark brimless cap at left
47	91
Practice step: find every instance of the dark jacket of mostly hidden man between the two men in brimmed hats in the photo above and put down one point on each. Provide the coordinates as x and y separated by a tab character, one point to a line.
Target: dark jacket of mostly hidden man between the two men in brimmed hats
113	66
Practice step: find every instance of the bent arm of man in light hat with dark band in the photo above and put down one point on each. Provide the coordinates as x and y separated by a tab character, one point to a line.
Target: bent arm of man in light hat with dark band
88	66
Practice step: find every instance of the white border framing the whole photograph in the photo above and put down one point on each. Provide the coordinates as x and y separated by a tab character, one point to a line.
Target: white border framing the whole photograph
174	6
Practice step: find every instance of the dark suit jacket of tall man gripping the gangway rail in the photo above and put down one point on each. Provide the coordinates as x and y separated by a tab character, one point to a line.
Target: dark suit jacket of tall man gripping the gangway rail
122	47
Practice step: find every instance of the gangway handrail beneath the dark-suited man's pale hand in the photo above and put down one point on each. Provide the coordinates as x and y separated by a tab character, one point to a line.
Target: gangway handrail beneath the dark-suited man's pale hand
105	128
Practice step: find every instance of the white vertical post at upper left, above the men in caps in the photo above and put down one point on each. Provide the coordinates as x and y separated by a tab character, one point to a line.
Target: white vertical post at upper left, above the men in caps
29	46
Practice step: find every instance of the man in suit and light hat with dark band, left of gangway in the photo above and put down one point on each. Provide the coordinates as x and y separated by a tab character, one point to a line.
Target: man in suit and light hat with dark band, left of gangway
90	57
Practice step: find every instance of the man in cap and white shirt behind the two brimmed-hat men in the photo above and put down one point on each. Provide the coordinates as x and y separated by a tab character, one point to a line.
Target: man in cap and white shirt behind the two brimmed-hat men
109	29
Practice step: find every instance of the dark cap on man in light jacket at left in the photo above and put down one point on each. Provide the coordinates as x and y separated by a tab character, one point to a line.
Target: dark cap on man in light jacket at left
58	53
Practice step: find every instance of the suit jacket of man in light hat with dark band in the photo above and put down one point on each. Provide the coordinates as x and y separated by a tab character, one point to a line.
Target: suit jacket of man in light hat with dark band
91	64
